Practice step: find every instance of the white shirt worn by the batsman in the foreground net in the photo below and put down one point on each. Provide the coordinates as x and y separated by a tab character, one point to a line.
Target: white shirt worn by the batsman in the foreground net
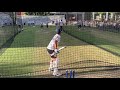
52	42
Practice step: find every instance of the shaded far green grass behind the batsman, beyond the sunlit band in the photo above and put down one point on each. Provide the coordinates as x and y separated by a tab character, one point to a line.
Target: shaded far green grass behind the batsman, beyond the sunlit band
37	37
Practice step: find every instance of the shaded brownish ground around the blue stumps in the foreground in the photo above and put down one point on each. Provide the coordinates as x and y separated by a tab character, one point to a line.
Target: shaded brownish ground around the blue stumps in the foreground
111	72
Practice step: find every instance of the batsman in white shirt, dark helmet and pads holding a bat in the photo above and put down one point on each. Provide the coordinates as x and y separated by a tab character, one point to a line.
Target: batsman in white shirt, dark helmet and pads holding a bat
52	49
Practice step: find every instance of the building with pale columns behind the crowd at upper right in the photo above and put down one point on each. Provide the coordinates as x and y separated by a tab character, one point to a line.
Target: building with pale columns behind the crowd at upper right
107	16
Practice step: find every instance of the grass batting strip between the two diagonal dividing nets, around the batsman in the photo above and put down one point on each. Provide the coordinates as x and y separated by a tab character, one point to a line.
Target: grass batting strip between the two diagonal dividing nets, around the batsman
28	54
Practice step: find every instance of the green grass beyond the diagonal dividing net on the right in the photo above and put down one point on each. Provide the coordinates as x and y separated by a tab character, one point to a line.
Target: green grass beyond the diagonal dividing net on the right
104	39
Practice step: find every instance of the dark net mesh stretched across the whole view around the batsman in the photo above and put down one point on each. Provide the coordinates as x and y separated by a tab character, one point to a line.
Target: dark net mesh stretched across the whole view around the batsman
93	47
